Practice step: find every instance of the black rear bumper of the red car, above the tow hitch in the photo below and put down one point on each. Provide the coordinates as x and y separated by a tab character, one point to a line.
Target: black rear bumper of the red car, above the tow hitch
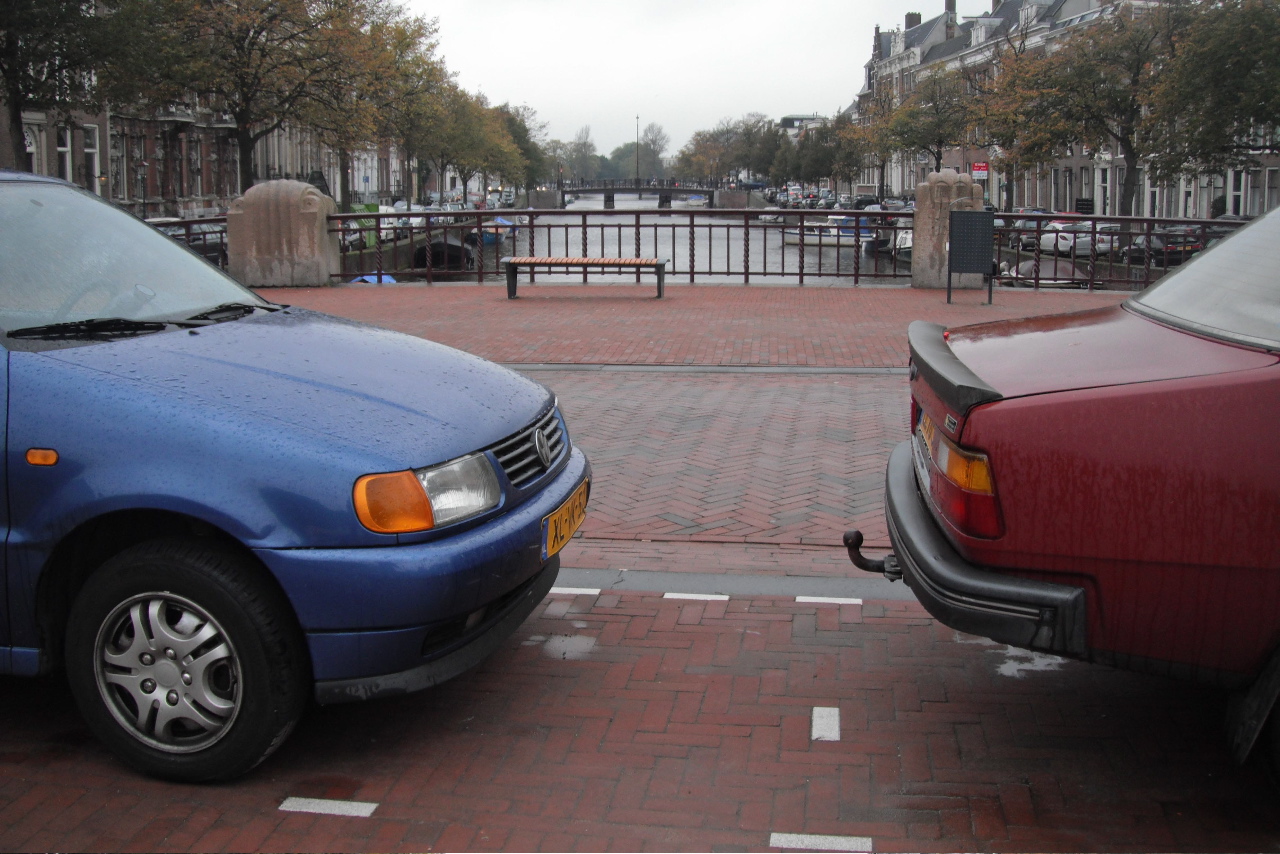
1021	613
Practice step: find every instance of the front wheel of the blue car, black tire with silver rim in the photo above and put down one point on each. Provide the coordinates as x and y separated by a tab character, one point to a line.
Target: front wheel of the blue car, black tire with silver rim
220	647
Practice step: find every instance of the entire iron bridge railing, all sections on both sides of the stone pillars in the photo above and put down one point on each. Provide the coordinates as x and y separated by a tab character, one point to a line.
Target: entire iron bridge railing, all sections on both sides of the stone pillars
742	246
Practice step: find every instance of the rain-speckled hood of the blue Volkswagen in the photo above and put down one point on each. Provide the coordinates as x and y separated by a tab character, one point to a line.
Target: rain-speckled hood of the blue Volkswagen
412	401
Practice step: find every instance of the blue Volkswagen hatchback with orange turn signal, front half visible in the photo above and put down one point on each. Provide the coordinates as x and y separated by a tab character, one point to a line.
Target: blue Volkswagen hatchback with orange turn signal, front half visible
218	508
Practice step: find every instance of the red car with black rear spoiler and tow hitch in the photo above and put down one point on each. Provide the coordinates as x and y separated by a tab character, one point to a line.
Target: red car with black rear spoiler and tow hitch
1107	485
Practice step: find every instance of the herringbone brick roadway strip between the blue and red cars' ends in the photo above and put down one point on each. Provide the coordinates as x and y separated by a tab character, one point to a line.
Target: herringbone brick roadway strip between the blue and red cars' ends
744	459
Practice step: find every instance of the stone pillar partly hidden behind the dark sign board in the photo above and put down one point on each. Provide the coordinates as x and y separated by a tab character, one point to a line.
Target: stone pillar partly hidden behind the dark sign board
935	200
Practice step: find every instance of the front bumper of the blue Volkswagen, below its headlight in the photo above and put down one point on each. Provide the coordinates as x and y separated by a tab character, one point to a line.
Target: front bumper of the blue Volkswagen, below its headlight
404	618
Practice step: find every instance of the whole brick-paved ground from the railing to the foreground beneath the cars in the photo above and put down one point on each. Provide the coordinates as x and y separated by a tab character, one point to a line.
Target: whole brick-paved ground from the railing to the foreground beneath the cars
735	435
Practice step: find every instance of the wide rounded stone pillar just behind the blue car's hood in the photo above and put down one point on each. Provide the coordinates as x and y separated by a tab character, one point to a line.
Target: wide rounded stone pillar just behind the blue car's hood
278	236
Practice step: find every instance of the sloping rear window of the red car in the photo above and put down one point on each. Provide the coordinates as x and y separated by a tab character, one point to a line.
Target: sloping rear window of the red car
1228	293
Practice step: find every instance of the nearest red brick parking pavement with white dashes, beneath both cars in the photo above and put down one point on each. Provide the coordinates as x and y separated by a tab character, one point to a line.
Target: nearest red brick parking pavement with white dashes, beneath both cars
633	723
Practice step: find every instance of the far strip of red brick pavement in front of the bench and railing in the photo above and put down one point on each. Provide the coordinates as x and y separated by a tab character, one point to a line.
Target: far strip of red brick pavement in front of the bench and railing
862	327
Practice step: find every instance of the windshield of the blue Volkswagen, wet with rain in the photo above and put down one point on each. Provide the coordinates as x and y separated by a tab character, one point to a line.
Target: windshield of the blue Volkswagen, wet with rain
68	257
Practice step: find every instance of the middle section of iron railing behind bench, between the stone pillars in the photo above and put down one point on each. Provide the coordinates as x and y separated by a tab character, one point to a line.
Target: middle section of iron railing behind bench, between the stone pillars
701	246
